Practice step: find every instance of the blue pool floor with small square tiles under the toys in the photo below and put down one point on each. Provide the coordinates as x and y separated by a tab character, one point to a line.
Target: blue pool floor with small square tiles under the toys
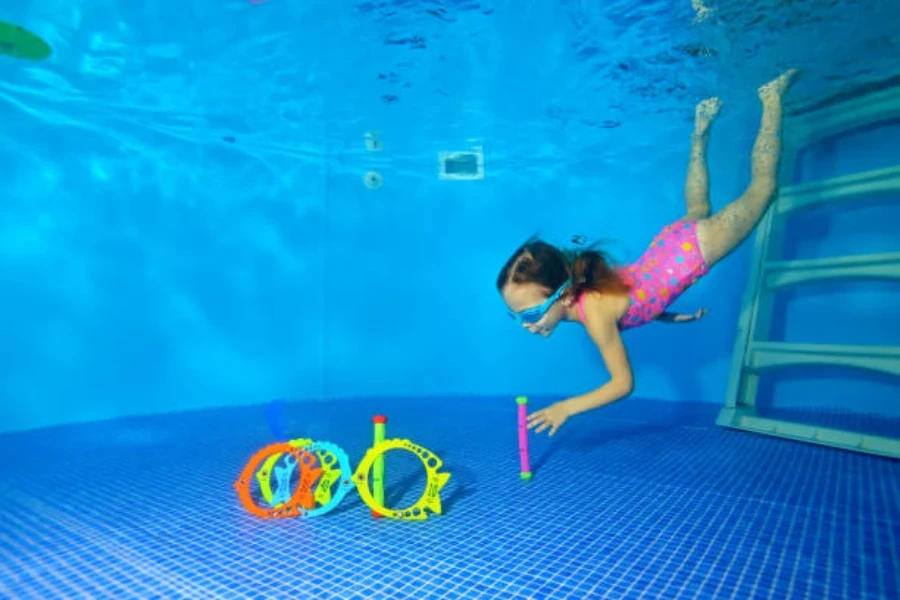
642	500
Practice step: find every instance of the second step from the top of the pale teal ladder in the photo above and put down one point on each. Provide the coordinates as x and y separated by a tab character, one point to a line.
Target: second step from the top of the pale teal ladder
806	195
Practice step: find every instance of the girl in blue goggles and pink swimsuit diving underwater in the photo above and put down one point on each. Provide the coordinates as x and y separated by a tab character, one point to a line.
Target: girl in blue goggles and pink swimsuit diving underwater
542	285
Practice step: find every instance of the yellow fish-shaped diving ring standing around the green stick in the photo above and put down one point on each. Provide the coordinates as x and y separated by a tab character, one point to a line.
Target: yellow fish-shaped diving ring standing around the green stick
430	500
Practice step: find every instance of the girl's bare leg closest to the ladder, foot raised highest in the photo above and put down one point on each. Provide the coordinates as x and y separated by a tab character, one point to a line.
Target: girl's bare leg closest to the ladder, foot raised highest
724	231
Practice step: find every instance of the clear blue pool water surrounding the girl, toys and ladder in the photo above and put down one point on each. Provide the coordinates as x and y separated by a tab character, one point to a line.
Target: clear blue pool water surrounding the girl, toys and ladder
185	236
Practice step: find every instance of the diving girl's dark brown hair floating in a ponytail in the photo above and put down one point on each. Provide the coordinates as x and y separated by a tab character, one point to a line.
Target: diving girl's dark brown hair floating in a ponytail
546	265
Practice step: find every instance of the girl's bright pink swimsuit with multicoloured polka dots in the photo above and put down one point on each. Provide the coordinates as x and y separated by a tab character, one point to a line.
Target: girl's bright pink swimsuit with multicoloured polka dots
667	268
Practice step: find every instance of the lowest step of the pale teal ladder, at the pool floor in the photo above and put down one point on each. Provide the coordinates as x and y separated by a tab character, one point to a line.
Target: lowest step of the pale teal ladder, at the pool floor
836	438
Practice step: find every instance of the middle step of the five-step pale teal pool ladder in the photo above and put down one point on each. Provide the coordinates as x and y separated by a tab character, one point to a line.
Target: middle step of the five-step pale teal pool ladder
785	273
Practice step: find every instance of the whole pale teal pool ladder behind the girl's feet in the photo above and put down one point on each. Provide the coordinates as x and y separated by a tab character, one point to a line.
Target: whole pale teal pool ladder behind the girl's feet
754	351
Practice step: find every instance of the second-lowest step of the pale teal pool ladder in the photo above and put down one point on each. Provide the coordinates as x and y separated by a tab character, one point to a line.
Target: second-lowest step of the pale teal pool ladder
768	355
